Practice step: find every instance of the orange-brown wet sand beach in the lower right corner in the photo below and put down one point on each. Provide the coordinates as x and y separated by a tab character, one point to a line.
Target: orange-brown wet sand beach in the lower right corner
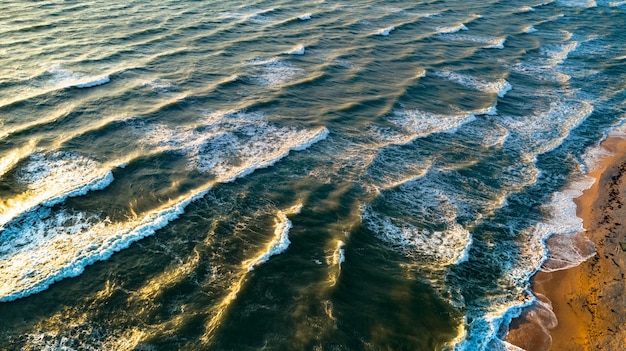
584	307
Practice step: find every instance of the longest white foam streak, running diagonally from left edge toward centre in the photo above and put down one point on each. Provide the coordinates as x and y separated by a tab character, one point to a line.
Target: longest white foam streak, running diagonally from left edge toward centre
48	245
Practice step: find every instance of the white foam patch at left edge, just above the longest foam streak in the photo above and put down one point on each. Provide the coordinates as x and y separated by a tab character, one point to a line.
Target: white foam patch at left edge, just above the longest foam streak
50	179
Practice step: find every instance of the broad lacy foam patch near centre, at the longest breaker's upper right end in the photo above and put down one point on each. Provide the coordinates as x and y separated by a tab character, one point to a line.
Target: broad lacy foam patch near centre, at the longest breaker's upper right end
227	143
